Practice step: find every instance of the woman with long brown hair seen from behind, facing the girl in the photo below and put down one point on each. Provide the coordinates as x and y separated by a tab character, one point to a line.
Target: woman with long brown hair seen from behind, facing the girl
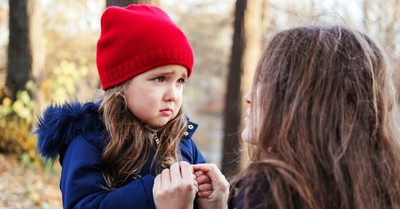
325	126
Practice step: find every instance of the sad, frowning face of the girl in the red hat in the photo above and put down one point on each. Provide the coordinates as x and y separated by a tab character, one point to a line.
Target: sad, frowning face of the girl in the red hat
155	96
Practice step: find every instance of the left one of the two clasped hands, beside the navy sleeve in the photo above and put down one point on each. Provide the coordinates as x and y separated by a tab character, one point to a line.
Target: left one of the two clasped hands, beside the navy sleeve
175	187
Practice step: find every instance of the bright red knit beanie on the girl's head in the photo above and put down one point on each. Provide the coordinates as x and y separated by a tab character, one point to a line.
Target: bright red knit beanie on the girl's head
138	38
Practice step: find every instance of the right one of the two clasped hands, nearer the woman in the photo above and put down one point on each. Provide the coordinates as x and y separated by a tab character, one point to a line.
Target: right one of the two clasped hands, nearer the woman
214	190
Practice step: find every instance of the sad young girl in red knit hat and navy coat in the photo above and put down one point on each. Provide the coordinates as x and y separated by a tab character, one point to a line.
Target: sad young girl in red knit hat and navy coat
111	150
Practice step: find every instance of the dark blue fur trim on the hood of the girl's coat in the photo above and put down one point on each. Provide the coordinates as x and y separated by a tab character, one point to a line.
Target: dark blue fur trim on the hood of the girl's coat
60	124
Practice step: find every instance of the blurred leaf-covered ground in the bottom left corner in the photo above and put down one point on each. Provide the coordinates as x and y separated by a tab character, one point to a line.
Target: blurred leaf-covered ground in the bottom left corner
25	186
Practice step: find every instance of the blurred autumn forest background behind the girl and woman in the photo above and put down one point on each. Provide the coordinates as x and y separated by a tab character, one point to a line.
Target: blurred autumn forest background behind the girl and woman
47	56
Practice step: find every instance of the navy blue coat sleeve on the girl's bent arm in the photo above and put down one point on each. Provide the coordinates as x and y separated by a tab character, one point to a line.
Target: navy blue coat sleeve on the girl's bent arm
83	186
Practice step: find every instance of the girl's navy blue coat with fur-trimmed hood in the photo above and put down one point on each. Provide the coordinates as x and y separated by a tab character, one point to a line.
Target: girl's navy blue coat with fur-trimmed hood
76	133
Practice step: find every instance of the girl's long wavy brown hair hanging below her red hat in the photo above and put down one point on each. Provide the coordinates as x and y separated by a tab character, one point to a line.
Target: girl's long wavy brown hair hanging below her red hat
131	142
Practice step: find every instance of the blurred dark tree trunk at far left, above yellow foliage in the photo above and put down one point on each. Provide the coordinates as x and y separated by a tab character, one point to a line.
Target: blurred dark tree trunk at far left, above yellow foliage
20	61
